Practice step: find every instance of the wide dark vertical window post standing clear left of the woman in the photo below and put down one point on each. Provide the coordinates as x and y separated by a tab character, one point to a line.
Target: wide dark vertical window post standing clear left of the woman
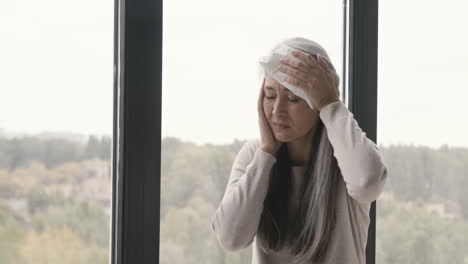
136	163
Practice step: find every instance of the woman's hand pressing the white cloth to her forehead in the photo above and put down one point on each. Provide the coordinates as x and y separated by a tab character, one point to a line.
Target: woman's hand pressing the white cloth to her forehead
314	77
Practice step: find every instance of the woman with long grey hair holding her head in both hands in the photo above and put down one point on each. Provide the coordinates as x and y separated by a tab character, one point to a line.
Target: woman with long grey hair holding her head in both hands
302	192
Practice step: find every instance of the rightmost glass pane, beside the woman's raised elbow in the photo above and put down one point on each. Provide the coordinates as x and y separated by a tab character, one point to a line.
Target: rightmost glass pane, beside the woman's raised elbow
422	215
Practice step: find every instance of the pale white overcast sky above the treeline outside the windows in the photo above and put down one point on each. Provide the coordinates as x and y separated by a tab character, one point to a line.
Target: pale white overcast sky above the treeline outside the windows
56	66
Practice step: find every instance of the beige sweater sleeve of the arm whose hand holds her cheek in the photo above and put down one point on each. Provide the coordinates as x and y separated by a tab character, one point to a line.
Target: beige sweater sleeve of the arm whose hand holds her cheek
235	221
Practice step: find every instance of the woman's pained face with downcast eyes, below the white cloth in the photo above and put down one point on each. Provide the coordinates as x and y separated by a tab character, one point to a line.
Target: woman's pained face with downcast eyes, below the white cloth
282	106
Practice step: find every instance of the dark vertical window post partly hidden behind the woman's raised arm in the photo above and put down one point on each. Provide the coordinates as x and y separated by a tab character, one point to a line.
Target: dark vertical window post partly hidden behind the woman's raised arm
362	50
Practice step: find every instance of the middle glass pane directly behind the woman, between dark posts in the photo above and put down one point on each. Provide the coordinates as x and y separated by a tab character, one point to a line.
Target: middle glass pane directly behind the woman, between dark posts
210	91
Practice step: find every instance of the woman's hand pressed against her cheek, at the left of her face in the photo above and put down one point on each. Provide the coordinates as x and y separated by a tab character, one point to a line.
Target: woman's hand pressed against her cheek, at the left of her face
268	142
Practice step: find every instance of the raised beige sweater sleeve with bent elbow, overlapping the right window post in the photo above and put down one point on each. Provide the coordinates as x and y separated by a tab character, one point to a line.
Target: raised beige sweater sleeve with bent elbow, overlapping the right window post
358	157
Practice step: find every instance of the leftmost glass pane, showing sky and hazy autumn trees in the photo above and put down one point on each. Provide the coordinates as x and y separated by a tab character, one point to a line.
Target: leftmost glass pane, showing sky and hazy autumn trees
56	86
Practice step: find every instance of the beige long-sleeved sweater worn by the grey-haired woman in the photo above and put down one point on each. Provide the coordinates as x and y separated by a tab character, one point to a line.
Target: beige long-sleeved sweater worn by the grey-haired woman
236	219
